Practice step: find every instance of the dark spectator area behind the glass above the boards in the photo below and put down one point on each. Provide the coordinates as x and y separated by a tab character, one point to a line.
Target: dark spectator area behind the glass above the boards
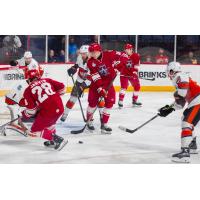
159	49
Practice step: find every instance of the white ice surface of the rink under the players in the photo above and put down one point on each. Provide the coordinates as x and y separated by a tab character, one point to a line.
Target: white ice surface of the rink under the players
153	144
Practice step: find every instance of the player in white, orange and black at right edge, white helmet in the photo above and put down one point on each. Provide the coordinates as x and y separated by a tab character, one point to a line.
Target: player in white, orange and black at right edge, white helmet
188	91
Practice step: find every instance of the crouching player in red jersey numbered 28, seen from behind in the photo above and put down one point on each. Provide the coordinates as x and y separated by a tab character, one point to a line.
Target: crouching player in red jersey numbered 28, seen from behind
42	100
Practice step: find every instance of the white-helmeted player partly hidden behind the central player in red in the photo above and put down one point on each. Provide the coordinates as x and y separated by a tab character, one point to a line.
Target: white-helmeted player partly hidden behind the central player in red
82	82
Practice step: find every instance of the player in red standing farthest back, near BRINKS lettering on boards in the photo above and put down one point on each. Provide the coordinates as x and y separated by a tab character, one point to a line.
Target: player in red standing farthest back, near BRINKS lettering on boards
129	74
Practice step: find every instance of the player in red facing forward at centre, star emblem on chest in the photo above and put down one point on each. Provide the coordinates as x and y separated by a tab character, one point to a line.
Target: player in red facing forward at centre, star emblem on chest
101	66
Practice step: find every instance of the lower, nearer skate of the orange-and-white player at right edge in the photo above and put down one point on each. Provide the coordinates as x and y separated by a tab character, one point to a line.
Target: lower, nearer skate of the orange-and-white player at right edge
182	157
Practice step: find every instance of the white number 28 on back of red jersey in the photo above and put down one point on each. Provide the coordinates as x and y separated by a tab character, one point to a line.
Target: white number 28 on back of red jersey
46	87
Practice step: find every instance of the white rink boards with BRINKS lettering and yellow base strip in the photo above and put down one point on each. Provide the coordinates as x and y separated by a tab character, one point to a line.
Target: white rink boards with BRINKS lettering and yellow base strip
152	77
